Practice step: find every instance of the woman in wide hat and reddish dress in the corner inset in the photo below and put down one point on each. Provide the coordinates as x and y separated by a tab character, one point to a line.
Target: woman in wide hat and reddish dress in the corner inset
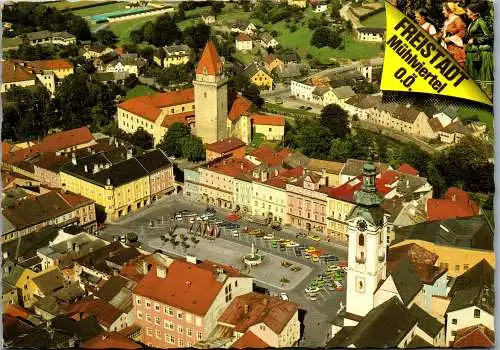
453	31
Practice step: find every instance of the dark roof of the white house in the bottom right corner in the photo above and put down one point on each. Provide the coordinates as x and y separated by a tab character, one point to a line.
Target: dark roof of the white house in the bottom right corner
481	297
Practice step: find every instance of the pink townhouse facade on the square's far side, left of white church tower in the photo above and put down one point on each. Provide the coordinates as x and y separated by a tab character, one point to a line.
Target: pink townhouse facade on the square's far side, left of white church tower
307	203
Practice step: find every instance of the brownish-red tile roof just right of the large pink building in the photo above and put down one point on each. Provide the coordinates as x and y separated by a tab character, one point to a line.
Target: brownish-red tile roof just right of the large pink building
253	308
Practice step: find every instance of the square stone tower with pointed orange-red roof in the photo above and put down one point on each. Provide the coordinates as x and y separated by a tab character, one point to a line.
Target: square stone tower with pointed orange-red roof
210	96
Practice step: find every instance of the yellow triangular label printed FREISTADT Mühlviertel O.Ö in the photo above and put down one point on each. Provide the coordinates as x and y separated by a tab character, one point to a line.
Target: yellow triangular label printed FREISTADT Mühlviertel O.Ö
414	61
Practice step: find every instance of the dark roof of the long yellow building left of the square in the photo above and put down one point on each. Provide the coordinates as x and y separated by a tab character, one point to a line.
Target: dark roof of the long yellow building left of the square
119	173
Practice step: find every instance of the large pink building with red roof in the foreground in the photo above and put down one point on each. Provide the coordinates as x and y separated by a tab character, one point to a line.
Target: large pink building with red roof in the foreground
179	305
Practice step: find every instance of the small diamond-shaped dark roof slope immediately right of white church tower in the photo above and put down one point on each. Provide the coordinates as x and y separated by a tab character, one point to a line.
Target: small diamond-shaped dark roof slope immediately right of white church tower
407	280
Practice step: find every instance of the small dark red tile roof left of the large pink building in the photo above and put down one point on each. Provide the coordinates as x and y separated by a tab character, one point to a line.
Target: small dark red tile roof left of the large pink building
104	312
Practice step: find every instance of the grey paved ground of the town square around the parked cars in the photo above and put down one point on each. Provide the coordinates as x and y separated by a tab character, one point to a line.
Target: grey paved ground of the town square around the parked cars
317	313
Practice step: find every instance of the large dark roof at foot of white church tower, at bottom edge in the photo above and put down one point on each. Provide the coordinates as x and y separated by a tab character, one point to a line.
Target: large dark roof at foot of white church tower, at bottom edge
383	327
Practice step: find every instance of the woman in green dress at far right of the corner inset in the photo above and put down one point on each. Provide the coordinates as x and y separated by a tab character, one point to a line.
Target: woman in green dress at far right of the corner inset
479	49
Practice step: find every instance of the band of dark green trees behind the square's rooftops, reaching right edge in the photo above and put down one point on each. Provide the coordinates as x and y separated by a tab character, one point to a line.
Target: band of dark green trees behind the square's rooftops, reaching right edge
465	165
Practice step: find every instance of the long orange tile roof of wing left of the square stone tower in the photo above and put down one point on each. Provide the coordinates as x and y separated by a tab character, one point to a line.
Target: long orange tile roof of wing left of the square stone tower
149	107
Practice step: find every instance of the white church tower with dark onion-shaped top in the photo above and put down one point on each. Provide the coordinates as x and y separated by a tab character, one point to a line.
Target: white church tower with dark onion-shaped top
367	229
